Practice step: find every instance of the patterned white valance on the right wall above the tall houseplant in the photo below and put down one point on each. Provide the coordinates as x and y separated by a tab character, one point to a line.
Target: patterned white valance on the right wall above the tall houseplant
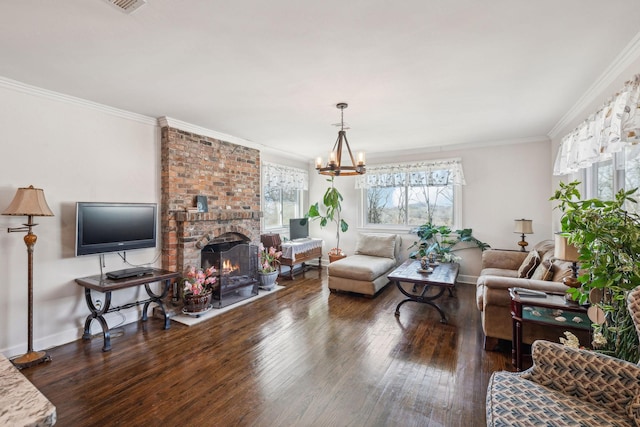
605	132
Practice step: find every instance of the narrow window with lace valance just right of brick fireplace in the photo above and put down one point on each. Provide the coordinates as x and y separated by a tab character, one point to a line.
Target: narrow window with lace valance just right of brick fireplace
282	195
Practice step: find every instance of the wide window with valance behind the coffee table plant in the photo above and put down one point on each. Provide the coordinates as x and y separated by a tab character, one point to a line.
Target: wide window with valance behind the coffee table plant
412	194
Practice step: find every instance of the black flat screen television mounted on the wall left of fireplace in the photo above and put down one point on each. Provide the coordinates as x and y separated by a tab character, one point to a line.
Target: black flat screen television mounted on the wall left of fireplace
114	227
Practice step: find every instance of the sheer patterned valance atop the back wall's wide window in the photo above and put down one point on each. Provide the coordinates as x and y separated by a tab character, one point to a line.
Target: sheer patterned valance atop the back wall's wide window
426	173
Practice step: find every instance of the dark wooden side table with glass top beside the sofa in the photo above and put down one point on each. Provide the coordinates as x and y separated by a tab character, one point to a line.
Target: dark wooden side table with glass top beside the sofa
551	310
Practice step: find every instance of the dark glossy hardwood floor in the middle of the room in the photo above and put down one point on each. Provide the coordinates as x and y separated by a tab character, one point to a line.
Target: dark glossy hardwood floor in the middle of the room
301	356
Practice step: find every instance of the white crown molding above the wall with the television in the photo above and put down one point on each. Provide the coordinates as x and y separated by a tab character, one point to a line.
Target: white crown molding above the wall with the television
72	100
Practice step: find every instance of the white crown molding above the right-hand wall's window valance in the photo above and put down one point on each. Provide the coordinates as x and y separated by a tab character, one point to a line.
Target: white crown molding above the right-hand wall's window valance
629	54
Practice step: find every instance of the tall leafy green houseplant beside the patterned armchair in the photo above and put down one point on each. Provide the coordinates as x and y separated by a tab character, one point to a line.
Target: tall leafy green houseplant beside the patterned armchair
607	237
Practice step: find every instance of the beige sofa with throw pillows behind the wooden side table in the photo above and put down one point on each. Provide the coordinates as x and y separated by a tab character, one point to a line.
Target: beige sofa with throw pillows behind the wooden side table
500	270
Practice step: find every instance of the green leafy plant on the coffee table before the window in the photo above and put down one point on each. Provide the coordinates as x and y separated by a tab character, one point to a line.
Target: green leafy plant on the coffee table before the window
442	241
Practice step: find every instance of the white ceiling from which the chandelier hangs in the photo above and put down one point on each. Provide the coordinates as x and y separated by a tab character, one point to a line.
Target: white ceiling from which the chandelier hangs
416	73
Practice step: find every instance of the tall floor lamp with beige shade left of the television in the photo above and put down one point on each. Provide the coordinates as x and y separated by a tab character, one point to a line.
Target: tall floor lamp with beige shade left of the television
29	202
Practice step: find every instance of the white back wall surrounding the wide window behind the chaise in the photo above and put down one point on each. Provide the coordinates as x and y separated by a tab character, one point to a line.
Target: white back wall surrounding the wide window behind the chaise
504	182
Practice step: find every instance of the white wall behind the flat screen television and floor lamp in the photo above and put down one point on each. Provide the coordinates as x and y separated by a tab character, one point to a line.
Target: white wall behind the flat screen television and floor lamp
75	153
